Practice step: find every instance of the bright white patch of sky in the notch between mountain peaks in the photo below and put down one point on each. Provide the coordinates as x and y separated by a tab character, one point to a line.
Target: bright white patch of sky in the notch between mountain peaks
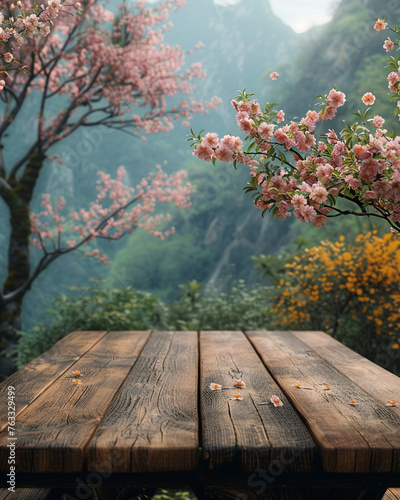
300	15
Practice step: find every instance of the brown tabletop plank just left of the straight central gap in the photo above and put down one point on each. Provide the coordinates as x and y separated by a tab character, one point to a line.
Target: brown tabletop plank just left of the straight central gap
152	424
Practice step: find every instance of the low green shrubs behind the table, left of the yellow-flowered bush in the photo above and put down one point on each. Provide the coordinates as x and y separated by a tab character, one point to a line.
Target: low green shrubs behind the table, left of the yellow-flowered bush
99	308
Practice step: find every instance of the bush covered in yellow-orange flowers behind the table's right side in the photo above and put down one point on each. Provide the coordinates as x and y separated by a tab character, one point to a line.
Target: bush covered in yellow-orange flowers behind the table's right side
351	290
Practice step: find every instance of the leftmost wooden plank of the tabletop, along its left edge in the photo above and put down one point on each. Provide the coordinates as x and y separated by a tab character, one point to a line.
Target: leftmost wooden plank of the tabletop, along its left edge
40	373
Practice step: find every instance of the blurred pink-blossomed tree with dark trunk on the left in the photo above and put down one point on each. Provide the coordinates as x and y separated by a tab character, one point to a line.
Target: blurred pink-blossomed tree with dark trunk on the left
96	69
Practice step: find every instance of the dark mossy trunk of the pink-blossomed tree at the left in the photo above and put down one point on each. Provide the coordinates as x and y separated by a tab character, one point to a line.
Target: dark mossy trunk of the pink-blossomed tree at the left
18	269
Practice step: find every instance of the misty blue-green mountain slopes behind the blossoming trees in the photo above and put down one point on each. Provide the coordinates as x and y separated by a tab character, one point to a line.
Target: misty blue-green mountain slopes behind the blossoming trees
217	237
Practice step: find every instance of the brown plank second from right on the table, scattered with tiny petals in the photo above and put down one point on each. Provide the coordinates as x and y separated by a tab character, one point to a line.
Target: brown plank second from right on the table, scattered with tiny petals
361	438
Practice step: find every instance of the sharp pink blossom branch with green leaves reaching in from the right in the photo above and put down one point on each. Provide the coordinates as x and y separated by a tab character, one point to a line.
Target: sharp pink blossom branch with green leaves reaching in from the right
295	171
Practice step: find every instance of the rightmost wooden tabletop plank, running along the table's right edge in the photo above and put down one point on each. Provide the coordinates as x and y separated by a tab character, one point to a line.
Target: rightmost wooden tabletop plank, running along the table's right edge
373	379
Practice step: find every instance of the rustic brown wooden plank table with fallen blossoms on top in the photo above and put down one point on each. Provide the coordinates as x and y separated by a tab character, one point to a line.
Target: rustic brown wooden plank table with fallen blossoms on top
143	415
